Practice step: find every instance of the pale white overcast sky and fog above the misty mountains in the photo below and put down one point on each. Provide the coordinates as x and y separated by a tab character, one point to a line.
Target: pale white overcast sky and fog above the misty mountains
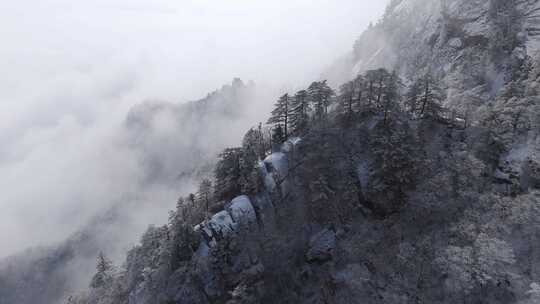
70	69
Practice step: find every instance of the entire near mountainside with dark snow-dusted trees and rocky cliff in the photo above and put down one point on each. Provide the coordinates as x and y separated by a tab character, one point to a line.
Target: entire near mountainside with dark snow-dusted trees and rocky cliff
415	181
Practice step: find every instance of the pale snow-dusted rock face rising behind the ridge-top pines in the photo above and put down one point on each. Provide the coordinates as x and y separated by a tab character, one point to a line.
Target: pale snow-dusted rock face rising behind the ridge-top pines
472	44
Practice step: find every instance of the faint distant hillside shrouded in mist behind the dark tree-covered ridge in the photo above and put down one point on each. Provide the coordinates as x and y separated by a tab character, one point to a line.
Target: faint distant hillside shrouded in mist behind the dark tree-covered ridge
174	145
